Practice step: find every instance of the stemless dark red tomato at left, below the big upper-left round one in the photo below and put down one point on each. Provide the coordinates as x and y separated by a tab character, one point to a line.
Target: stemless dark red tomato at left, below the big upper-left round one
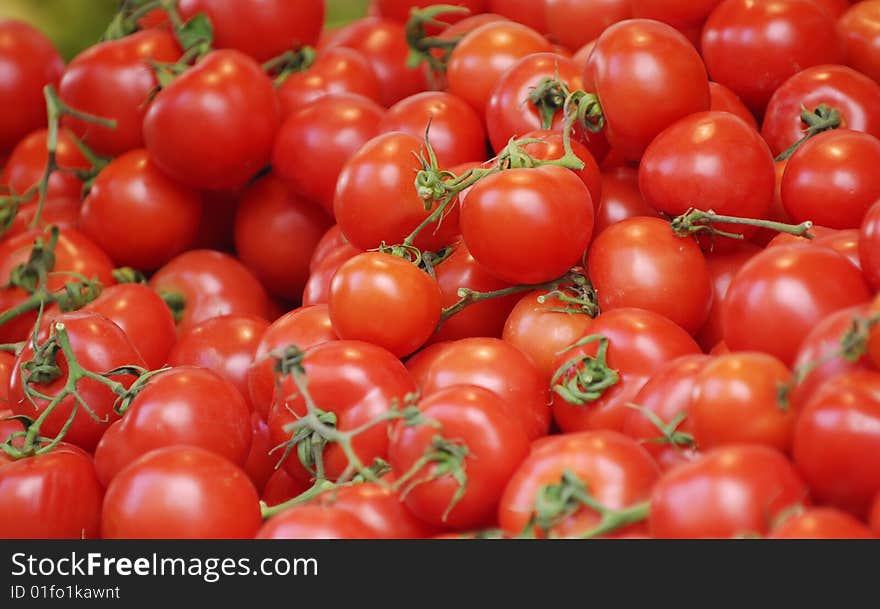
136	214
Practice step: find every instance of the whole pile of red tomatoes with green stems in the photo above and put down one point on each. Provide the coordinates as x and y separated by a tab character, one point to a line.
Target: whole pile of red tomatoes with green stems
511	268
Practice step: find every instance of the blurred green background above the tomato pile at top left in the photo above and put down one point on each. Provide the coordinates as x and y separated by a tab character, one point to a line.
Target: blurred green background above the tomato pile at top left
75	24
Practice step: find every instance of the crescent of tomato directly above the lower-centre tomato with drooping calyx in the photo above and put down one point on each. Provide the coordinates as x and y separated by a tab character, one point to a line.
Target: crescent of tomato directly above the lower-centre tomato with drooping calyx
495	365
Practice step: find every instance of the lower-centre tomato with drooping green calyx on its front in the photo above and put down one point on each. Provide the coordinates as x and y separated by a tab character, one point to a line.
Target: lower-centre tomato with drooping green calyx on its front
451	491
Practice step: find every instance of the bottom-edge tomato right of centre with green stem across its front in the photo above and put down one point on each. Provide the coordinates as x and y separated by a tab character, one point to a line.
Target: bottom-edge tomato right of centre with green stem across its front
616	471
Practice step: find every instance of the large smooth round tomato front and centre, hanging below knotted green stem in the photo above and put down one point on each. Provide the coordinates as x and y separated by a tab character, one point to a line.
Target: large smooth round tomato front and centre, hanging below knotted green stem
547	213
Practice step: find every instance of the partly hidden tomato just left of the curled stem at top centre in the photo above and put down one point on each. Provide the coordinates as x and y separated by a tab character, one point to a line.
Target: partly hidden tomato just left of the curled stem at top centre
383	43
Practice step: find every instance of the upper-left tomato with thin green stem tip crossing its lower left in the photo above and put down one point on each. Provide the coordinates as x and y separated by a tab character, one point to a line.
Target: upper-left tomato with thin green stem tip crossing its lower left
114	80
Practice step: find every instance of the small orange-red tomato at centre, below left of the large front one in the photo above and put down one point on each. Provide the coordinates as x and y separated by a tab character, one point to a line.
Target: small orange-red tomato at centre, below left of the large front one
384	300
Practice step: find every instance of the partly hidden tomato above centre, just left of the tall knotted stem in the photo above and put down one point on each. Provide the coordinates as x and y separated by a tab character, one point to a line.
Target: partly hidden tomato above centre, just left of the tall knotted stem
457	134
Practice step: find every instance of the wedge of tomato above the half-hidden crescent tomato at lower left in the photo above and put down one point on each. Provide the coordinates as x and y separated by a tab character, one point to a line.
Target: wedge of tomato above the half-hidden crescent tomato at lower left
225	345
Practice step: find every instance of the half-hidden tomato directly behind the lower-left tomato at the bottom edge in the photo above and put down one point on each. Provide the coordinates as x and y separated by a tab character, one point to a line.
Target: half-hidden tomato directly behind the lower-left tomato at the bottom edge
183	406
